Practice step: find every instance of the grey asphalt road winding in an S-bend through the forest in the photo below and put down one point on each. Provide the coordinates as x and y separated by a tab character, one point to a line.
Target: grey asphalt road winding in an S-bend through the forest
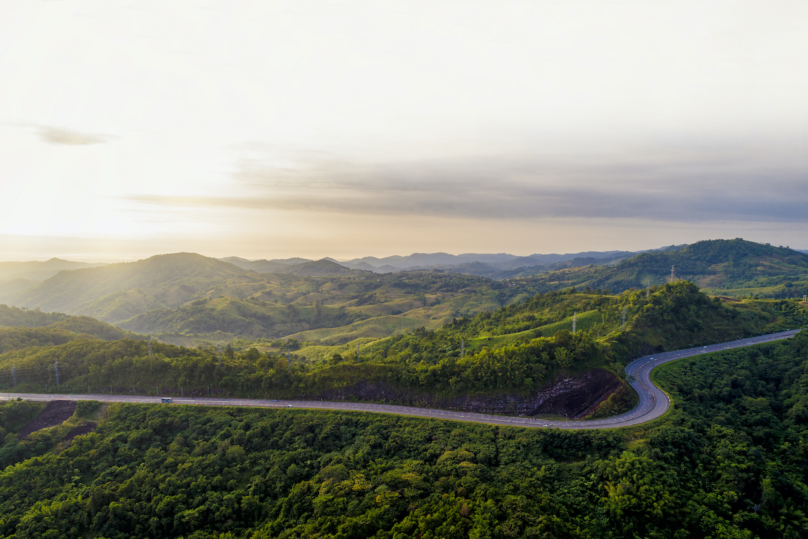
653	401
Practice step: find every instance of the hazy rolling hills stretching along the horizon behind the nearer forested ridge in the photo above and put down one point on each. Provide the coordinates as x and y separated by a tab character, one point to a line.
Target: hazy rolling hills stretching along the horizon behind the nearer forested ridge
187	293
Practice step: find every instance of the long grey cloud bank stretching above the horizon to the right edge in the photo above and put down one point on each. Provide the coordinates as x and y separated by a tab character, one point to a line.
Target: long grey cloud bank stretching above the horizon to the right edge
673	186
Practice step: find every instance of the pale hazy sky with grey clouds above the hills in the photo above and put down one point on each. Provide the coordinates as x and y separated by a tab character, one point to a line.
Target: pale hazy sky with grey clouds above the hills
316	128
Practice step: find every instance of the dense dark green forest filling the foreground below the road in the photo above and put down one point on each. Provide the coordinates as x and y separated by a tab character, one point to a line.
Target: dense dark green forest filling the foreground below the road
729	461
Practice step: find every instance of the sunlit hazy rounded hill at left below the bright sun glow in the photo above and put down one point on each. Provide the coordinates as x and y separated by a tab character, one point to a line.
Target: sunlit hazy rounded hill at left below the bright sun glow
105	292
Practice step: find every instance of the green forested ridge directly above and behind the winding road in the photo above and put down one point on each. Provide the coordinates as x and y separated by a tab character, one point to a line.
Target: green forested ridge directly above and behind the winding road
514	350
